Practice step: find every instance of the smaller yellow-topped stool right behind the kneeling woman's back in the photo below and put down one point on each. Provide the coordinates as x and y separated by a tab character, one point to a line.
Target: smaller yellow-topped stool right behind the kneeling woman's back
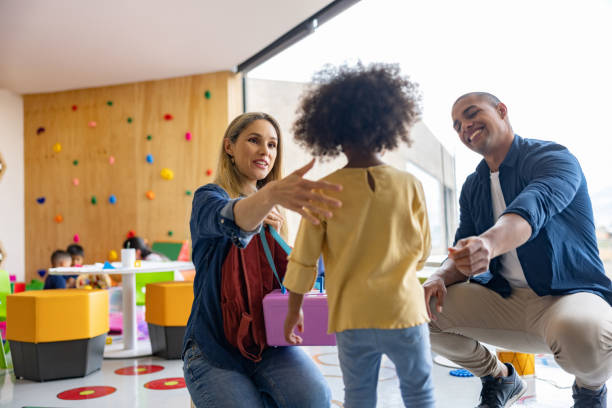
167	308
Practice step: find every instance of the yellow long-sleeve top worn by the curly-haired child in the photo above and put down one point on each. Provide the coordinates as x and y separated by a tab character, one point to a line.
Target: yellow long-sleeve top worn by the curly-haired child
372	247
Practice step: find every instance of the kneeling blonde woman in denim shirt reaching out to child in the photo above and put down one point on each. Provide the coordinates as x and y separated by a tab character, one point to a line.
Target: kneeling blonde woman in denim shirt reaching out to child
246	192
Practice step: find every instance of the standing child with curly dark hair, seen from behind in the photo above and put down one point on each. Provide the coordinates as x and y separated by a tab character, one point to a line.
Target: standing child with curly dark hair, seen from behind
374	244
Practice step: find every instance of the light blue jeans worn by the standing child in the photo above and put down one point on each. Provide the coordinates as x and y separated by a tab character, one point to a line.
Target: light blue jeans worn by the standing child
360	352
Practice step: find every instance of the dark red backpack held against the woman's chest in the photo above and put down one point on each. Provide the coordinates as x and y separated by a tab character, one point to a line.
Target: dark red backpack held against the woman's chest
246	277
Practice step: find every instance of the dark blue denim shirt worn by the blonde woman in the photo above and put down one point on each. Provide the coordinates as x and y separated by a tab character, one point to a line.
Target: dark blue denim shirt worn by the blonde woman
213	231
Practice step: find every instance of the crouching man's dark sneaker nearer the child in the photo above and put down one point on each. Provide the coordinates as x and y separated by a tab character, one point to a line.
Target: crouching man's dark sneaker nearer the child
501	392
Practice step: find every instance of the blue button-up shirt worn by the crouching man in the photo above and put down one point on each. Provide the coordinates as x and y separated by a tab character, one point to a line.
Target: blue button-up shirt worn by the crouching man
543	183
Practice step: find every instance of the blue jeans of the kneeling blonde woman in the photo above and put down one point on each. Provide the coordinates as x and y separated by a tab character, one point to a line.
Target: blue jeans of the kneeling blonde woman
285	378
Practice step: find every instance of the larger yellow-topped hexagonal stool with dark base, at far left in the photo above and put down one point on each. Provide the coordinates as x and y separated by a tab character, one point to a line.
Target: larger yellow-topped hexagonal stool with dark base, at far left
57	333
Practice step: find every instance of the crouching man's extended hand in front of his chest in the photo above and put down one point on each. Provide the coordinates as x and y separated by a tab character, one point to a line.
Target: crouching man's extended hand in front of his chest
471	255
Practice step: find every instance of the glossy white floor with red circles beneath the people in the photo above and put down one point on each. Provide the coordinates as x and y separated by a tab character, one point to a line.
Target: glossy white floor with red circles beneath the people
553	386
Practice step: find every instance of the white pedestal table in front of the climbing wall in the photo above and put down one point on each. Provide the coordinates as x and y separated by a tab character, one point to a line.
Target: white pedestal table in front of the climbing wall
129	346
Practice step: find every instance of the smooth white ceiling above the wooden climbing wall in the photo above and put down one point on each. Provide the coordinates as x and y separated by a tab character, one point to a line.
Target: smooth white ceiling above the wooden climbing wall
56	45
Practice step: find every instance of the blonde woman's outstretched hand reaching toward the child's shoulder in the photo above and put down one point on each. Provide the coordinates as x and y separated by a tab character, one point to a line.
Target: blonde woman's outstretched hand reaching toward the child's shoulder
297	194
